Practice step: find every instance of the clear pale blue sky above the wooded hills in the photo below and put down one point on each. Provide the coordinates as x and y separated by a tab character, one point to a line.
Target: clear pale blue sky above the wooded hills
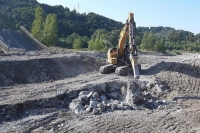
178	14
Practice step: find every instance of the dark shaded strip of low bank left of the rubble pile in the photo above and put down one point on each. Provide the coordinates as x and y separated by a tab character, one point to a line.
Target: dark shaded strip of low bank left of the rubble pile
13	112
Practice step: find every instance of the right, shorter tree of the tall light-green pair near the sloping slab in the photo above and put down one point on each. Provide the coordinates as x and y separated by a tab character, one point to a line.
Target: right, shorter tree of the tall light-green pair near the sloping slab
50	32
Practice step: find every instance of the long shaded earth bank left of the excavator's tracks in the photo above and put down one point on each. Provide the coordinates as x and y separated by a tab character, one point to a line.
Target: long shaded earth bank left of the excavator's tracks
45	69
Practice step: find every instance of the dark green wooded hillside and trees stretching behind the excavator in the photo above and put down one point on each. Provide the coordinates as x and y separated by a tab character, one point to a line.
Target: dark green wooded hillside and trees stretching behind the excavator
70	29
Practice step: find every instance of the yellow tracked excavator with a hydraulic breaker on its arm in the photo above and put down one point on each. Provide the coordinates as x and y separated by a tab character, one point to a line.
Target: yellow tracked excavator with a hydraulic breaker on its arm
124	59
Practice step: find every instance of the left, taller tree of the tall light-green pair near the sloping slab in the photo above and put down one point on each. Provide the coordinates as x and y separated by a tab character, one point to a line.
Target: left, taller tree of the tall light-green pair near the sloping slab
38	23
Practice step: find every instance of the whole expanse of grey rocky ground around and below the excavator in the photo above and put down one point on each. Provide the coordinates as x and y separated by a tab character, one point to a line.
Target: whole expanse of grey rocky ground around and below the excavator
66	93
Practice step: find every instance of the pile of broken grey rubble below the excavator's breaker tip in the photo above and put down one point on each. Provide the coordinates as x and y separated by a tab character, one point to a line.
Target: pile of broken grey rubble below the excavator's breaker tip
133	95
